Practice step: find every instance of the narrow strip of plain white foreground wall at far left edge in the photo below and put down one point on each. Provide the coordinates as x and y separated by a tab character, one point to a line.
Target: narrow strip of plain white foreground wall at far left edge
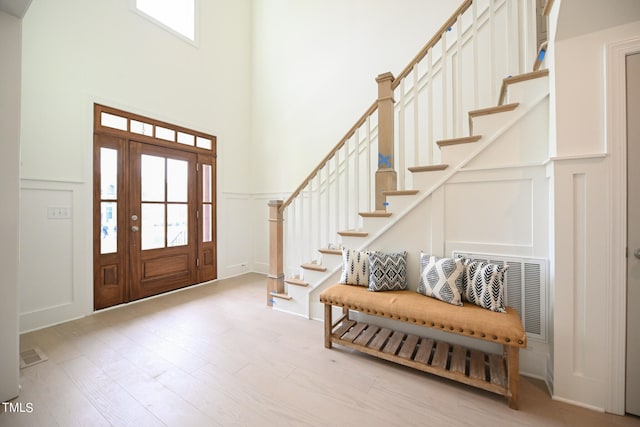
10	35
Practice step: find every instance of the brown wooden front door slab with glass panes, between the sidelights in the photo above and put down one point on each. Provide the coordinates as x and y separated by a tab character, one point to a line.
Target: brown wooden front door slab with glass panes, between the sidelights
162	219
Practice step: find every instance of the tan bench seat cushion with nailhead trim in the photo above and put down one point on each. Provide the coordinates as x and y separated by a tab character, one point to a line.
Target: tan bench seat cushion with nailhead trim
409	306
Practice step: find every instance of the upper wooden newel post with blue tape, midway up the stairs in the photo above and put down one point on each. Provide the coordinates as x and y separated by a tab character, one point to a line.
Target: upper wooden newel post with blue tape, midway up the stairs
386	176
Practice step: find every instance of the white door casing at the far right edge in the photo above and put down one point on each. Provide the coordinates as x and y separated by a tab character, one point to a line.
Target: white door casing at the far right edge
616	142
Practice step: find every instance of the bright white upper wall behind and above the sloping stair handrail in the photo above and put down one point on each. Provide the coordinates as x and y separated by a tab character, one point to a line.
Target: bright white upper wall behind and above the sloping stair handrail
315	65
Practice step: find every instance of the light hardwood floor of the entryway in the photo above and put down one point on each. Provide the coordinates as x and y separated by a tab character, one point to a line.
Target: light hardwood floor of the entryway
216	355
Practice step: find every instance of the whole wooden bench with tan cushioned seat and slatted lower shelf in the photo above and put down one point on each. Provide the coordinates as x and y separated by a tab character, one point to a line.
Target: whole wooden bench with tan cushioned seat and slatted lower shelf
493	372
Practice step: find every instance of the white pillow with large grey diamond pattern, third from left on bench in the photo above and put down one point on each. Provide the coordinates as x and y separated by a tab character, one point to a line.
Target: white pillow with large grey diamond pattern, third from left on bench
441	278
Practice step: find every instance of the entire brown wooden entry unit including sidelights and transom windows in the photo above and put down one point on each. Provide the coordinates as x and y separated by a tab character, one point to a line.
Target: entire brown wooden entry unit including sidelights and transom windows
154	211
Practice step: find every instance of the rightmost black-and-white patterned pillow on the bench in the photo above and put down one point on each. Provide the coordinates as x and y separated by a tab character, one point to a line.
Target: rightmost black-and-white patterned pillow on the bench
484	285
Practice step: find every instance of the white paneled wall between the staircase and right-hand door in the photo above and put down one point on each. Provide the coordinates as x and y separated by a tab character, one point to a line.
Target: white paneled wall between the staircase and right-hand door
582	207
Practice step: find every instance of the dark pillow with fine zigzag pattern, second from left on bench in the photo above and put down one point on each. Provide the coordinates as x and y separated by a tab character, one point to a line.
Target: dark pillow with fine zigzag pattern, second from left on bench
387	272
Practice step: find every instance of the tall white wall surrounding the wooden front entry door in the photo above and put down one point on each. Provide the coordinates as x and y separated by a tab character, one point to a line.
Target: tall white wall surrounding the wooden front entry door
77	52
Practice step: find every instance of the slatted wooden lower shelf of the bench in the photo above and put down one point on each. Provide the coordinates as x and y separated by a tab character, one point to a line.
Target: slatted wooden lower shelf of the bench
482	370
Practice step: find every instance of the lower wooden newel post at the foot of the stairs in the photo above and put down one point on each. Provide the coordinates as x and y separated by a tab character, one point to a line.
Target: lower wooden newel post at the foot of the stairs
275	279
